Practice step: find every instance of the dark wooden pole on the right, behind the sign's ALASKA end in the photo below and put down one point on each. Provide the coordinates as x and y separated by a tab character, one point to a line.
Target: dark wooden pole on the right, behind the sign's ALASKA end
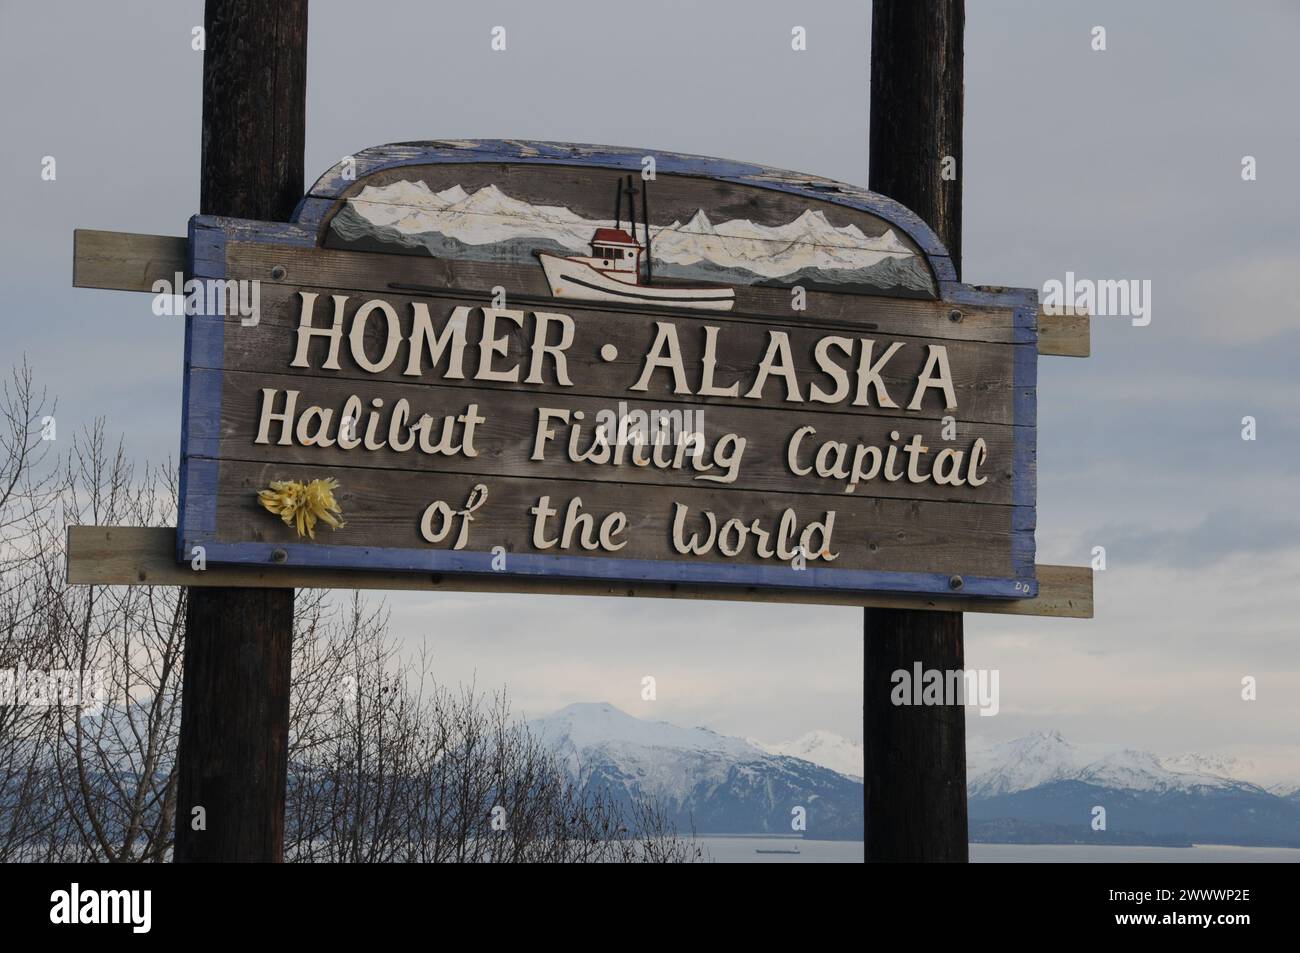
916	756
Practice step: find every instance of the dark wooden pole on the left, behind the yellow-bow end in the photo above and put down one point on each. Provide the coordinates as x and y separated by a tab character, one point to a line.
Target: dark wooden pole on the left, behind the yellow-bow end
235	720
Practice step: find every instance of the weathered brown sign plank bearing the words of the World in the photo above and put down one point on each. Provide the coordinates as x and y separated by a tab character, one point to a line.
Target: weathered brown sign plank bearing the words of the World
383	510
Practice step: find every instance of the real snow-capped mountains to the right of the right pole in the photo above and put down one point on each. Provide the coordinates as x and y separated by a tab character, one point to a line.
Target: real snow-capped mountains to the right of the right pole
1041	789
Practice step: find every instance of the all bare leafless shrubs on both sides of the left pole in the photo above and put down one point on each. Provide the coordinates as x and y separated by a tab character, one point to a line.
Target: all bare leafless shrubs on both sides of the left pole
385	765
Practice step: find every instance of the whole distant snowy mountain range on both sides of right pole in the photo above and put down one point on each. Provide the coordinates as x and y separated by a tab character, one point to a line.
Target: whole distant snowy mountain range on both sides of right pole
1038	789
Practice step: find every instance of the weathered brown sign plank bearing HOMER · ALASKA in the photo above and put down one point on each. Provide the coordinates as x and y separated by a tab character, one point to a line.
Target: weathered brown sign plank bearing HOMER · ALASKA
982	372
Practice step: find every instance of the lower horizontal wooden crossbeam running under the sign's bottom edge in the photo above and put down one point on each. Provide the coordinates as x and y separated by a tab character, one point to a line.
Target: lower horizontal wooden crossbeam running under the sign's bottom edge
146	556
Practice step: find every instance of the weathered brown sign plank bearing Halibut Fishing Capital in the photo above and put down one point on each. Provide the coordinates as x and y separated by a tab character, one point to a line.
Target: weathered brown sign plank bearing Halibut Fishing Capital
505	441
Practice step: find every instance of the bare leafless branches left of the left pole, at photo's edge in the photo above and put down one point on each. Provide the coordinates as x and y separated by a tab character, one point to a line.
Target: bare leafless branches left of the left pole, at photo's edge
99	760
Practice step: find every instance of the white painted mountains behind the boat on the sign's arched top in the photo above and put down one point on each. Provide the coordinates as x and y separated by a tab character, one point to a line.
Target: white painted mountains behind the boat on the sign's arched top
489	226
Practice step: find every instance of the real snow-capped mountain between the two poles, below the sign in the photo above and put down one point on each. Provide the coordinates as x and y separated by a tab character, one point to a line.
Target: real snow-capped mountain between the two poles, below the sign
705	782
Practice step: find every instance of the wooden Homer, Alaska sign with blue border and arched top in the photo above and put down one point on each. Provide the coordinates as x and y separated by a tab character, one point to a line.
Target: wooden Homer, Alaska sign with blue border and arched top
532	359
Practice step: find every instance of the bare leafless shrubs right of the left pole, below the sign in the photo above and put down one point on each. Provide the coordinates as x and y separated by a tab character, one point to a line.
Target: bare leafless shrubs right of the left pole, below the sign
398	769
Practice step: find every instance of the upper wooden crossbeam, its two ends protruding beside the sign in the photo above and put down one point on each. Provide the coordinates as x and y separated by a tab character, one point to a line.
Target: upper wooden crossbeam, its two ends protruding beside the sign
131	262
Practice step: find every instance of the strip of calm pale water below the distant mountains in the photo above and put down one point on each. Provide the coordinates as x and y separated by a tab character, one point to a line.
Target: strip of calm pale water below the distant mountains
744	851
